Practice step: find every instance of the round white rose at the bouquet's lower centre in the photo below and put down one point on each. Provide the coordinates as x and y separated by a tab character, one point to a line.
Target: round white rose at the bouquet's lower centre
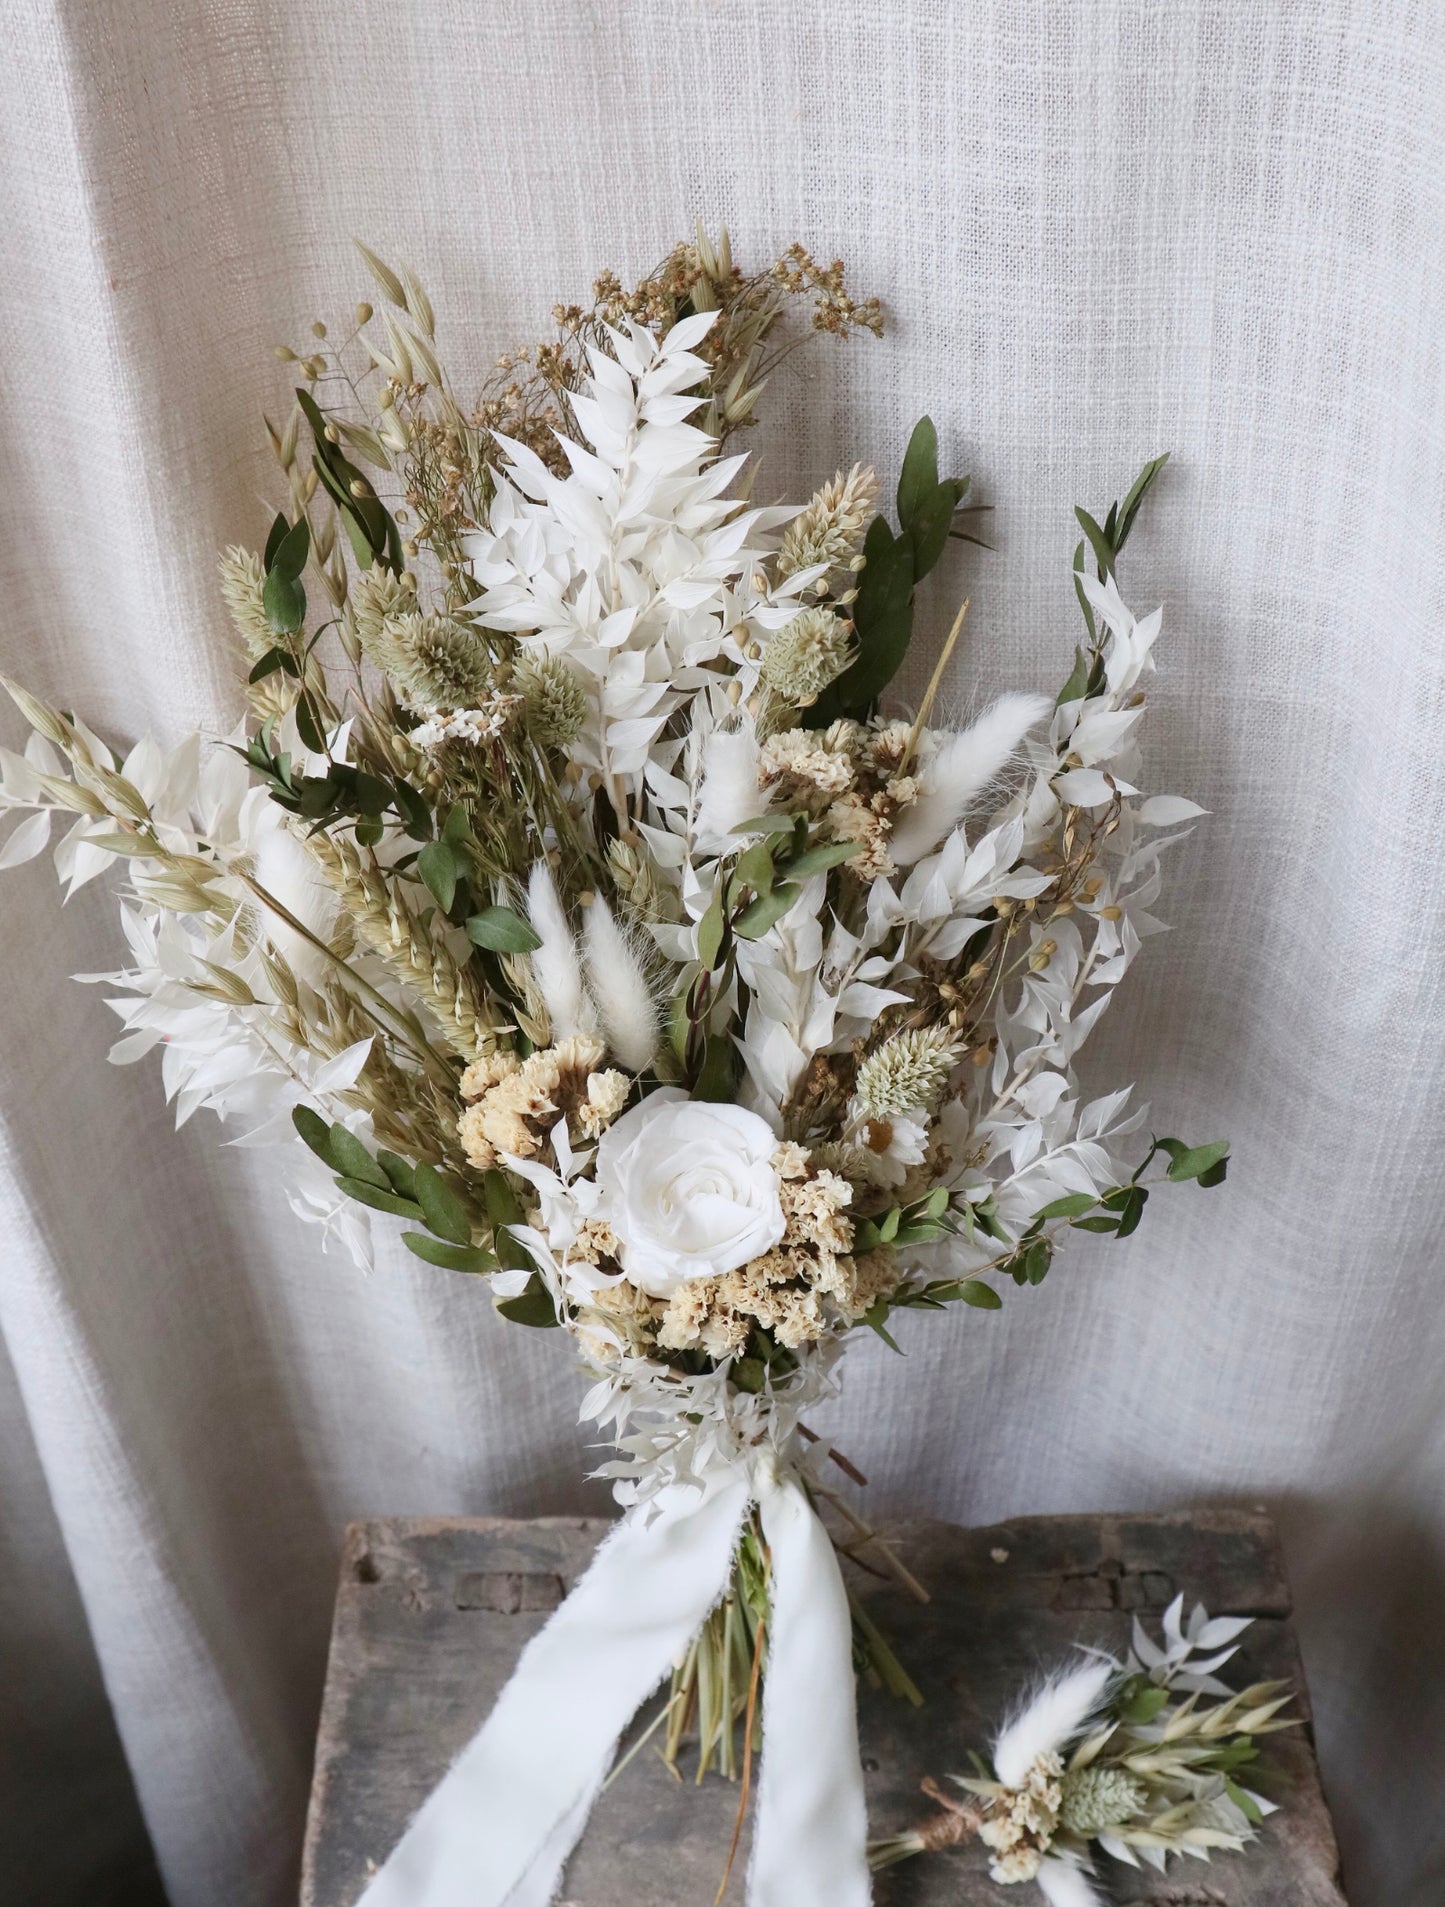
689	1189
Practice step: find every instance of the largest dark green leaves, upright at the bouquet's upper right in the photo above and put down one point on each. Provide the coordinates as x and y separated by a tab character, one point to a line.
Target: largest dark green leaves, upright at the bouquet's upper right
895	564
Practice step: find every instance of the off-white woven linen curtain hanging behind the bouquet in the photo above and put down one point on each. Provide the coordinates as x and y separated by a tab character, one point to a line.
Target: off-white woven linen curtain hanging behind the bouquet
1103	232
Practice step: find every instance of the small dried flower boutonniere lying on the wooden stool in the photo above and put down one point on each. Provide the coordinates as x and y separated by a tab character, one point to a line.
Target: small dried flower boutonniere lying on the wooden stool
1124	1757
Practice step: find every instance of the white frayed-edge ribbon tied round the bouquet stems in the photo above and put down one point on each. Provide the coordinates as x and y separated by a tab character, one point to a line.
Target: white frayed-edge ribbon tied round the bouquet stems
500	1824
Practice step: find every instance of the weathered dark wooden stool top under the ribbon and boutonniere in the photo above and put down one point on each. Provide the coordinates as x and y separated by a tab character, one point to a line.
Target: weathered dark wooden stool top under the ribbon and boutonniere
432	1618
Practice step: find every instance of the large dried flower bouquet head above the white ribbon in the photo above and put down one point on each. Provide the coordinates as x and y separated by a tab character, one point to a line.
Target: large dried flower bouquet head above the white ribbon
579	901
